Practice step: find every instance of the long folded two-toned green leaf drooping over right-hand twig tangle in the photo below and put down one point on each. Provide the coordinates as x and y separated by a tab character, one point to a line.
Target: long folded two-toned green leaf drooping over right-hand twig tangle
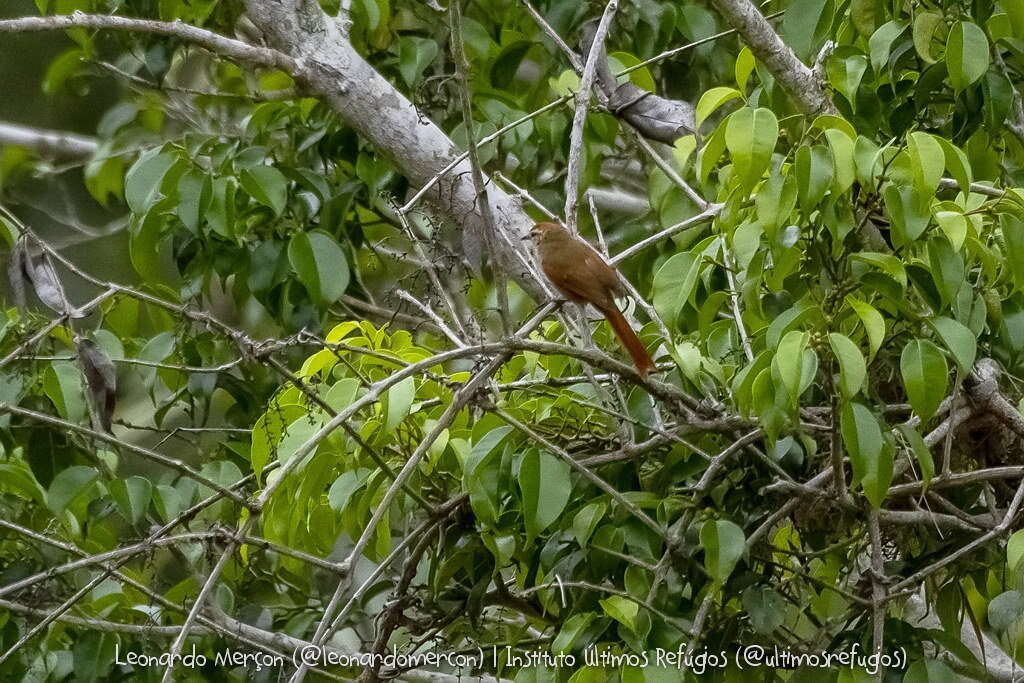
872	460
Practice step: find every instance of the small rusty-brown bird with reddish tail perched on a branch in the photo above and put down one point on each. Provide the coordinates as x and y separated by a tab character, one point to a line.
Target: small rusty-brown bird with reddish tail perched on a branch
579	273
